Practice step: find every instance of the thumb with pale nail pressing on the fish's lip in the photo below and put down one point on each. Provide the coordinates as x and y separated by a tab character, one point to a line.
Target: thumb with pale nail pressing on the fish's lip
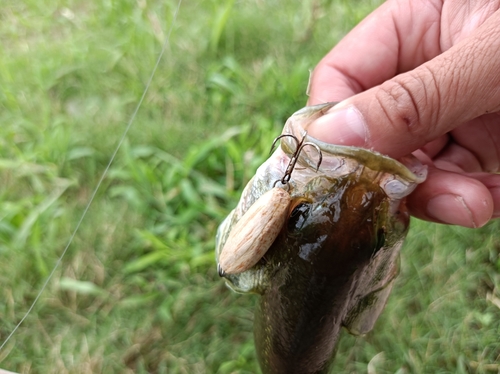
416	107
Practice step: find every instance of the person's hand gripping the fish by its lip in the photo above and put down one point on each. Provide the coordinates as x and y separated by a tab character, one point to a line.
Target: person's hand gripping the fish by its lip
423	77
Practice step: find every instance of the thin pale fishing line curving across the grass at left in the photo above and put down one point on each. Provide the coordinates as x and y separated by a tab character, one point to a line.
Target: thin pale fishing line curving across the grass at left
105	172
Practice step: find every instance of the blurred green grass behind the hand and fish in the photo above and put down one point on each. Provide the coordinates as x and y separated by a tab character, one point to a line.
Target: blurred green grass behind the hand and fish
138	291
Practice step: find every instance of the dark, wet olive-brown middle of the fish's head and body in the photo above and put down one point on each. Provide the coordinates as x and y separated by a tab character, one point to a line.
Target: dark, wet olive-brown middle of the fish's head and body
320	258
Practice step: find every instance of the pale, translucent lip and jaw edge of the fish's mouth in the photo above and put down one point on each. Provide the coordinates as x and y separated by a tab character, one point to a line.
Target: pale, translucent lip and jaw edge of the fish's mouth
397	179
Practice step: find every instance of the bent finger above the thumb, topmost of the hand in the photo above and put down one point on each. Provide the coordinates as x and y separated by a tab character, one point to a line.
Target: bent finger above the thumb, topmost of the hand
389	41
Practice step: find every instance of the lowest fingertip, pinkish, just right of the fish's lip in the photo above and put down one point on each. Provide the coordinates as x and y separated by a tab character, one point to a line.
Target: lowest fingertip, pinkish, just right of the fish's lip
453	198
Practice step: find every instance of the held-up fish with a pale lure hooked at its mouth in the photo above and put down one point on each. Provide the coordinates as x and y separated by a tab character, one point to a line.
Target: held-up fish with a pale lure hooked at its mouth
332	255
